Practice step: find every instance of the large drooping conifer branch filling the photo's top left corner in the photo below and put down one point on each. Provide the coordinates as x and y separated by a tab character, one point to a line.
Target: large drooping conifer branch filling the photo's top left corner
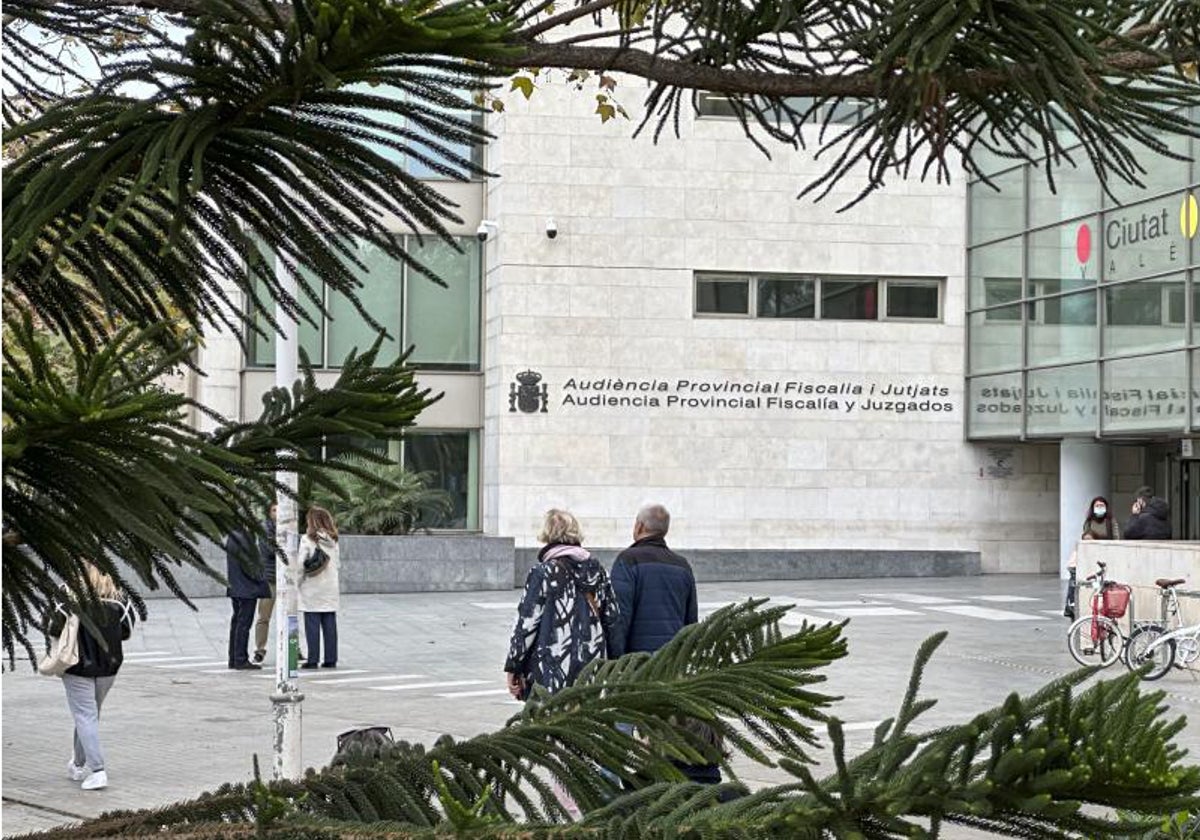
159	200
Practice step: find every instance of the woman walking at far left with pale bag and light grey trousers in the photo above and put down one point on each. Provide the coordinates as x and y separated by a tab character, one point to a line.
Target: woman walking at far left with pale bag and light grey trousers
89	681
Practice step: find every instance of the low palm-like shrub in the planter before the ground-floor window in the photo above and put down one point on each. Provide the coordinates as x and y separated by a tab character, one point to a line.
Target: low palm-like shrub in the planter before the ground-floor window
385	499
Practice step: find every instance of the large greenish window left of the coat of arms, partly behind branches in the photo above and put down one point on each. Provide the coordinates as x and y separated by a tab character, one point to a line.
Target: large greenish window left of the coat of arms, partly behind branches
441	322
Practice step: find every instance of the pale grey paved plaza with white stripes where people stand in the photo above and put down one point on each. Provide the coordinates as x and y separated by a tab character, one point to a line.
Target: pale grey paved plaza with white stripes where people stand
179	723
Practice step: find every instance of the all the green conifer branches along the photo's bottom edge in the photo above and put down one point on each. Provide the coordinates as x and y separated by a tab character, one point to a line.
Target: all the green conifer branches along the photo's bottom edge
1051	765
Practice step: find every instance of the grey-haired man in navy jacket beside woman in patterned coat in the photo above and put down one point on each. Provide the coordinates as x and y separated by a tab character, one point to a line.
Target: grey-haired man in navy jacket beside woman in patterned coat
655	586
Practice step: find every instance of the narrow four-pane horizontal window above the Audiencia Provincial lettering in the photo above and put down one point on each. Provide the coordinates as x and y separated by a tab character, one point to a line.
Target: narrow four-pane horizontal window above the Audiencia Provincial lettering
826	298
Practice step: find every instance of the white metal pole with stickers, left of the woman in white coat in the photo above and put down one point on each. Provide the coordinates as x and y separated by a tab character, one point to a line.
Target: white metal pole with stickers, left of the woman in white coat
287	700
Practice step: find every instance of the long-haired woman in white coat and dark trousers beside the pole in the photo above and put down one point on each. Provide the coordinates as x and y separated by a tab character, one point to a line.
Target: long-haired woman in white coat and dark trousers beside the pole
320	587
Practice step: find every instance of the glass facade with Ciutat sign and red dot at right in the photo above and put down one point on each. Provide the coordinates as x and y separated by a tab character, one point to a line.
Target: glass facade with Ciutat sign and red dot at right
1083	308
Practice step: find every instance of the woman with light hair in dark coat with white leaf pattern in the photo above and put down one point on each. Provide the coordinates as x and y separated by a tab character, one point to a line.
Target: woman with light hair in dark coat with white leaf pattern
568	615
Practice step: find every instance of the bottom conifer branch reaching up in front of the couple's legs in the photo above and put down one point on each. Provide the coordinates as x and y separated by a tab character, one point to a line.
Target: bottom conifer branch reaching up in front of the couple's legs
736	669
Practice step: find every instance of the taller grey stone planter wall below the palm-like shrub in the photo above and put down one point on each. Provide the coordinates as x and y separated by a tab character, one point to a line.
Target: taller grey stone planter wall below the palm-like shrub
391	565
